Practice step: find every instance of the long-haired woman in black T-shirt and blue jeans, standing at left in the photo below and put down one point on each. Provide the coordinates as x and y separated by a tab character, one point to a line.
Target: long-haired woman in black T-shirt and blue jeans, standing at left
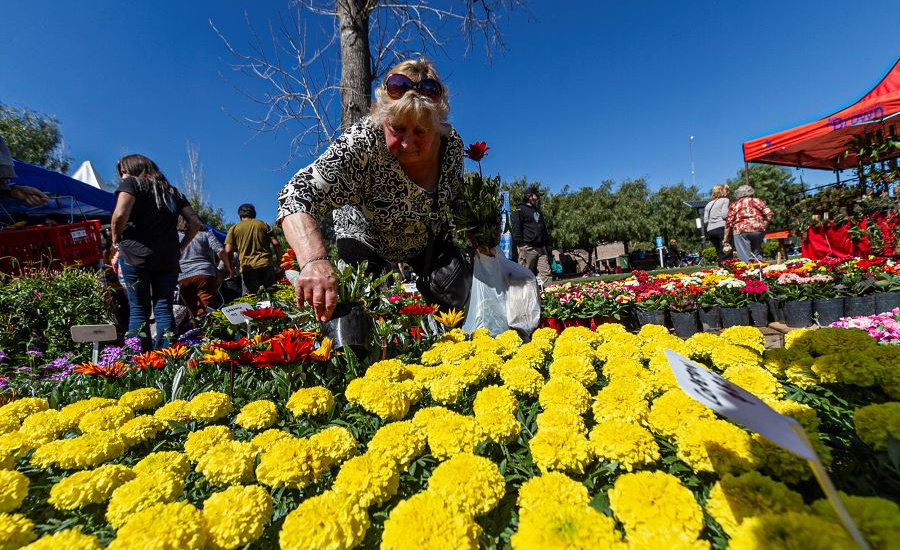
145	235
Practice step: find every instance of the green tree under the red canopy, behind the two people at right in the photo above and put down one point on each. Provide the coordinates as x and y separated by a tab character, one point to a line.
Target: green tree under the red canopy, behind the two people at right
776	187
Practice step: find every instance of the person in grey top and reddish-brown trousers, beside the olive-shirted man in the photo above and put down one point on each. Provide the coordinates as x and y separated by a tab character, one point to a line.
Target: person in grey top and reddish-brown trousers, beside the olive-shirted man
198	278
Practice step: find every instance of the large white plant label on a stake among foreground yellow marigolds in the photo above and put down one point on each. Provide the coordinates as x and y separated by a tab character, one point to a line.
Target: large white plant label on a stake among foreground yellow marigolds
733	401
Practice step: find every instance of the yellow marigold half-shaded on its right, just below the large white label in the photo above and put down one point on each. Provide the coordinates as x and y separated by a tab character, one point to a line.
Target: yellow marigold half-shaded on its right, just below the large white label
717	446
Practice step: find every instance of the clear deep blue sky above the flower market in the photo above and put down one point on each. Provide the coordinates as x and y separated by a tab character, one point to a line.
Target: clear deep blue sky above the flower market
585	91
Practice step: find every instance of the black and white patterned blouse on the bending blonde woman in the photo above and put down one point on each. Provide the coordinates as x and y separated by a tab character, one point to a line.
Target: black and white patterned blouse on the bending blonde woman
372	199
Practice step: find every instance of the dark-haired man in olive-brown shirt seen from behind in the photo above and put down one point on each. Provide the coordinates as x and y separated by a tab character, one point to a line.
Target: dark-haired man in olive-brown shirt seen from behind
255	244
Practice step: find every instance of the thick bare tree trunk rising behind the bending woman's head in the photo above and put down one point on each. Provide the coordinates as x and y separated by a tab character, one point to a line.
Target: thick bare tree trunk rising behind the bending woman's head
356	71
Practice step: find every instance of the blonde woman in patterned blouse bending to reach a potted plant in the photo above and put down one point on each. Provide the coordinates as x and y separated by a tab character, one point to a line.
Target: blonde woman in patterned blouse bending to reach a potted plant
390	180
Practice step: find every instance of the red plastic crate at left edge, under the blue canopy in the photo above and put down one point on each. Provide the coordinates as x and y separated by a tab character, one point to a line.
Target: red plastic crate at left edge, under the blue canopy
50	246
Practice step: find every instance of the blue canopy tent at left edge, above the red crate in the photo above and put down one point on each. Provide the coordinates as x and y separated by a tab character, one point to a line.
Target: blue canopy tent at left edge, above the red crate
68	196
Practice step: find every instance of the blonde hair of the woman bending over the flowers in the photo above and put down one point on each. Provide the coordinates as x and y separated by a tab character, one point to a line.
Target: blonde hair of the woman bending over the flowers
413	106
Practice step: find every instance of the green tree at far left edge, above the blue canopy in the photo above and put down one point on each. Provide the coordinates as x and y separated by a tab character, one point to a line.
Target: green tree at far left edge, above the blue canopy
33	137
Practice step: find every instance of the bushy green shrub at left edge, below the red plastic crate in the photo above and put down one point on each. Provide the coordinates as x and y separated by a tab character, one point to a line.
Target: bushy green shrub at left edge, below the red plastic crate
38	307
